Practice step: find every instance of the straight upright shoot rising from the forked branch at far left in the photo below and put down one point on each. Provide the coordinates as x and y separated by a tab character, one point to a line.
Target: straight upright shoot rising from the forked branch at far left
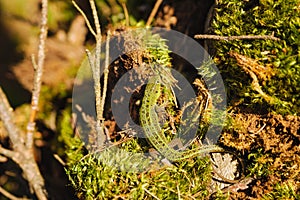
38	68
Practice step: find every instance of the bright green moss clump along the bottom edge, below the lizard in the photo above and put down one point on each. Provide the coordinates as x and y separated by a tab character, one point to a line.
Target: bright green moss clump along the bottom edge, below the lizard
92	179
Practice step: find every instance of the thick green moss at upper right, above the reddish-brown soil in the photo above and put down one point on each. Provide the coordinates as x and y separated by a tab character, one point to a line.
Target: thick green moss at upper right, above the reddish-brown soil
278	17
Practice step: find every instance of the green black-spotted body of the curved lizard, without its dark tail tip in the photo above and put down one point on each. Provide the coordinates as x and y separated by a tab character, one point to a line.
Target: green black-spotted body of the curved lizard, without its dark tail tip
150	123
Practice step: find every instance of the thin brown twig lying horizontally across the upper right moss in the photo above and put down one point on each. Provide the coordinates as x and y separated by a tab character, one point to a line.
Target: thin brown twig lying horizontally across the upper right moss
239	37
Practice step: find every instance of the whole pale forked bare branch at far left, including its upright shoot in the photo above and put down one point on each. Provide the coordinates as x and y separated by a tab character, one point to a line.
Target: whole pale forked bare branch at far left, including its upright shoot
23	154
